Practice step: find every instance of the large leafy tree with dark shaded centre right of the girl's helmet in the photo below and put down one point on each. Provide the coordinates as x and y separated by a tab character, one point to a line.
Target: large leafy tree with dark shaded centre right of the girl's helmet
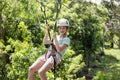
87	23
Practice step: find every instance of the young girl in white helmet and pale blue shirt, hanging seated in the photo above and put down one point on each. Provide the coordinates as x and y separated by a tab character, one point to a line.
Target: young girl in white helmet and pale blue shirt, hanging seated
46	61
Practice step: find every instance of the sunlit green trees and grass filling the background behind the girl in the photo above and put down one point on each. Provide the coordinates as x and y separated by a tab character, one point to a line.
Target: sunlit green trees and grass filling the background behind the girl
94	53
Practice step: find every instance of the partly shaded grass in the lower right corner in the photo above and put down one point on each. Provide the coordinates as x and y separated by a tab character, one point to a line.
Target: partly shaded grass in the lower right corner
109	65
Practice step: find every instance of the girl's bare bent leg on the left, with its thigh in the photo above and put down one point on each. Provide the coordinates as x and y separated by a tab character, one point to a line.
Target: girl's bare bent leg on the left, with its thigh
34	67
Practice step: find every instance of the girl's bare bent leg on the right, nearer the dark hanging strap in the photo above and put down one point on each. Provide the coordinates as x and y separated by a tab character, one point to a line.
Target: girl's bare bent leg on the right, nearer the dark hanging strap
47	66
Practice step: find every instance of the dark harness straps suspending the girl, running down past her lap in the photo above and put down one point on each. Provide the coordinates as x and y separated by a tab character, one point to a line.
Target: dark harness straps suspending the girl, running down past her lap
58	7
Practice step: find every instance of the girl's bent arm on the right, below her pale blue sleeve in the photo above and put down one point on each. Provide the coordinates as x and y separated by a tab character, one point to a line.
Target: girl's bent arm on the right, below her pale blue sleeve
59	48
